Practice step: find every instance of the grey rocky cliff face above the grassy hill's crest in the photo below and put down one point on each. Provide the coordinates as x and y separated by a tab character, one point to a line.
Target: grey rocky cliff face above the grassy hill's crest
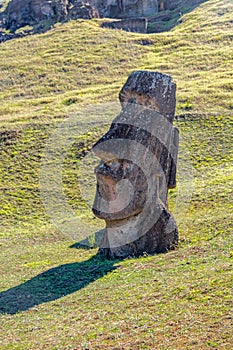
20	13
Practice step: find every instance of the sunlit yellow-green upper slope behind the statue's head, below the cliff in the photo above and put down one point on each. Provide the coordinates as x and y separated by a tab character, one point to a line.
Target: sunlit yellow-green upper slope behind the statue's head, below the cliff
59	64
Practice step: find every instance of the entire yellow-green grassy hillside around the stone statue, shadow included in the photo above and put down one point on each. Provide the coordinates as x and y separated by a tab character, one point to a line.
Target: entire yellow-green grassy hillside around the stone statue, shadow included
55	297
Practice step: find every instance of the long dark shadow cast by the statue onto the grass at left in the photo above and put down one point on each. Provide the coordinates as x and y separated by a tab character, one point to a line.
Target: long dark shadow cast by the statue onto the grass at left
54	284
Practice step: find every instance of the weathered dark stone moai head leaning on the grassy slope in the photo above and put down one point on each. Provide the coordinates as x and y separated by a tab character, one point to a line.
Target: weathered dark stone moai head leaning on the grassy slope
138	165
